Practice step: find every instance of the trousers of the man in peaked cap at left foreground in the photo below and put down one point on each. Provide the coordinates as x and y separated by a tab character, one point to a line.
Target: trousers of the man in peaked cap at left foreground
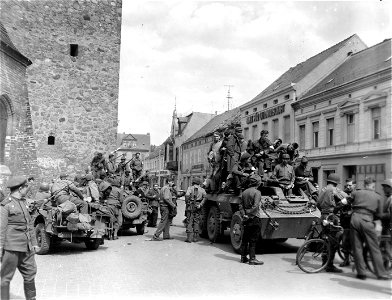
25	263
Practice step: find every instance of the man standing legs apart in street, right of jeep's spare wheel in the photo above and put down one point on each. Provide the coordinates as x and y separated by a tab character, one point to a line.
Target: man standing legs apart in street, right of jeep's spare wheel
166	205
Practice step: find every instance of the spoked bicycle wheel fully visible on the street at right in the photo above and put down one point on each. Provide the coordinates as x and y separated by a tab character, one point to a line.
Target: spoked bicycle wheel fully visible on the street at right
313	256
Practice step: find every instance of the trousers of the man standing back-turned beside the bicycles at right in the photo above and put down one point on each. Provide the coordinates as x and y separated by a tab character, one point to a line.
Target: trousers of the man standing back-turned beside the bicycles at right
362	229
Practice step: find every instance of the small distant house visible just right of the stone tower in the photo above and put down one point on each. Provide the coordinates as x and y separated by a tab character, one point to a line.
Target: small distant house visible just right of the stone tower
128	144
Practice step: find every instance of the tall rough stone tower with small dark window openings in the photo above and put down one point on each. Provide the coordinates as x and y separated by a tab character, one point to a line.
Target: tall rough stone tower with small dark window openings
73	81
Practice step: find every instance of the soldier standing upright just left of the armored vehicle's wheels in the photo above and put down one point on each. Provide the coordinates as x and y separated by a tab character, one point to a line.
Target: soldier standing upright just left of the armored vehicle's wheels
195	198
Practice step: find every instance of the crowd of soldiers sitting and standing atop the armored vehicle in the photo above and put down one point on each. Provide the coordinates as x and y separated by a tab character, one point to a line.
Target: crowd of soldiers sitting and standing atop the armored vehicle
233	160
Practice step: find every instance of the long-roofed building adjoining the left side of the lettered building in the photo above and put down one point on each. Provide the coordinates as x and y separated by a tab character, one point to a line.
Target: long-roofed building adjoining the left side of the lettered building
195	149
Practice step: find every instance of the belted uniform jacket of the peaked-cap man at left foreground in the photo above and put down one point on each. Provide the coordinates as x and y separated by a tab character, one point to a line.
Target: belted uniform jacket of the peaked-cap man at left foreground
16	231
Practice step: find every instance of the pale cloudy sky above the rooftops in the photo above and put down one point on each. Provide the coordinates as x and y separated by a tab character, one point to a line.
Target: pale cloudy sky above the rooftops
187	53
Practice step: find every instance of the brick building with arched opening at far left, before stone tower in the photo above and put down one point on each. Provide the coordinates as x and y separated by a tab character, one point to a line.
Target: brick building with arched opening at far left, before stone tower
18	154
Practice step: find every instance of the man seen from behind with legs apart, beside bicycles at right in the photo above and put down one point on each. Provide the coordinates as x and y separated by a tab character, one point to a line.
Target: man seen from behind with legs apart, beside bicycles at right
366	205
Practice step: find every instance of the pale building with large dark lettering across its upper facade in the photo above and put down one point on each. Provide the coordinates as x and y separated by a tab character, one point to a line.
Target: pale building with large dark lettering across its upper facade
271	110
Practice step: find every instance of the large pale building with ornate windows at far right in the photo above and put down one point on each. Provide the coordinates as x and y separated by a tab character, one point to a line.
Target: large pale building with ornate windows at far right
343	124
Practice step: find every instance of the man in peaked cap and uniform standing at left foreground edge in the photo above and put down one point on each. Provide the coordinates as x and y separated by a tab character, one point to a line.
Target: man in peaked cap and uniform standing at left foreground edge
17	240
